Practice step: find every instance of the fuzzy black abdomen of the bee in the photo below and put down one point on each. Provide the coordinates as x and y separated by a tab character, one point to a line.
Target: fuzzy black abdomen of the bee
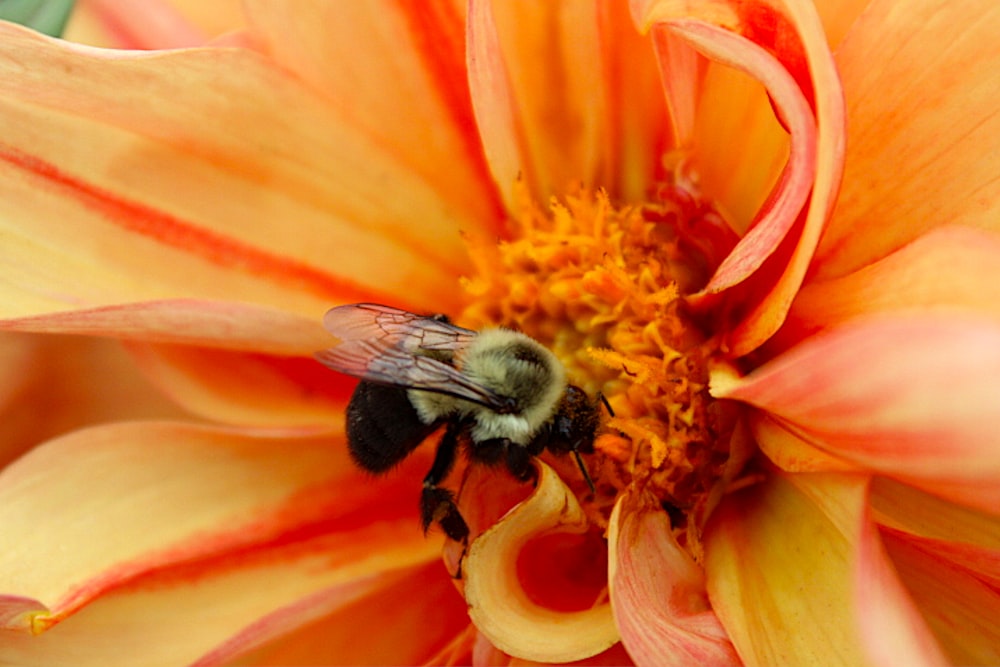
382	426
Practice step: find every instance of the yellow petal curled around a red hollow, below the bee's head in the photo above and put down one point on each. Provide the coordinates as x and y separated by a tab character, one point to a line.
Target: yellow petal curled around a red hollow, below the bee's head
502	608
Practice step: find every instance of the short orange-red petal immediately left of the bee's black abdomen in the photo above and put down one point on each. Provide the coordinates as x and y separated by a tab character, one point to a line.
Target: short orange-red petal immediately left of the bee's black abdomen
246	389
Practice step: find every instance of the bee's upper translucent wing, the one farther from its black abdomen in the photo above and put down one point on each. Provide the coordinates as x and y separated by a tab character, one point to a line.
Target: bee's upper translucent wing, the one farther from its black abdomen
395	328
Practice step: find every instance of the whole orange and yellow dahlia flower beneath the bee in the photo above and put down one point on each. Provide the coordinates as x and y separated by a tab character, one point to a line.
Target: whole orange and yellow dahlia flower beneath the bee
797	335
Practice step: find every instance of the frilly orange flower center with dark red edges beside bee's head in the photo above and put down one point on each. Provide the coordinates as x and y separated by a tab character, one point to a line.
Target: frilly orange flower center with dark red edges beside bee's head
603	288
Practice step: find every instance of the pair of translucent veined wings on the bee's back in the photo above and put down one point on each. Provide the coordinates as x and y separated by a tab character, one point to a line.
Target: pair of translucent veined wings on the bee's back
389	346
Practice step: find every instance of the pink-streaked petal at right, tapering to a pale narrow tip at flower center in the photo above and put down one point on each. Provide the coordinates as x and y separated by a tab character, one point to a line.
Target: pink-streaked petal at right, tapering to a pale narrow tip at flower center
911	396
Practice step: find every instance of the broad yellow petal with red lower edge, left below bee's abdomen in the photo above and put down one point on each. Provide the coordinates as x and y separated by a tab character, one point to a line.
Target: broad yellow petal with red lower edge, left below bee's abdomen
127	499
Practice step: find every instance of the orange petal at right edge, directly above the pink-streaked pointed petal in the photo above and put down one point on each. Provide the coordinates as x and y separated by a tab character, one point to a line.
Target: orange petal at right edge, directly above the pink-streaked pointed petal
942	270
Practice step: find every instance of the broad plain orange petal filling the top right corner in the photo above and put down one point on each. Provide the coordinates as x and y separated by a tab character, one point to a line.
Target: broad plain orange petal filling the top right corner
925	128
